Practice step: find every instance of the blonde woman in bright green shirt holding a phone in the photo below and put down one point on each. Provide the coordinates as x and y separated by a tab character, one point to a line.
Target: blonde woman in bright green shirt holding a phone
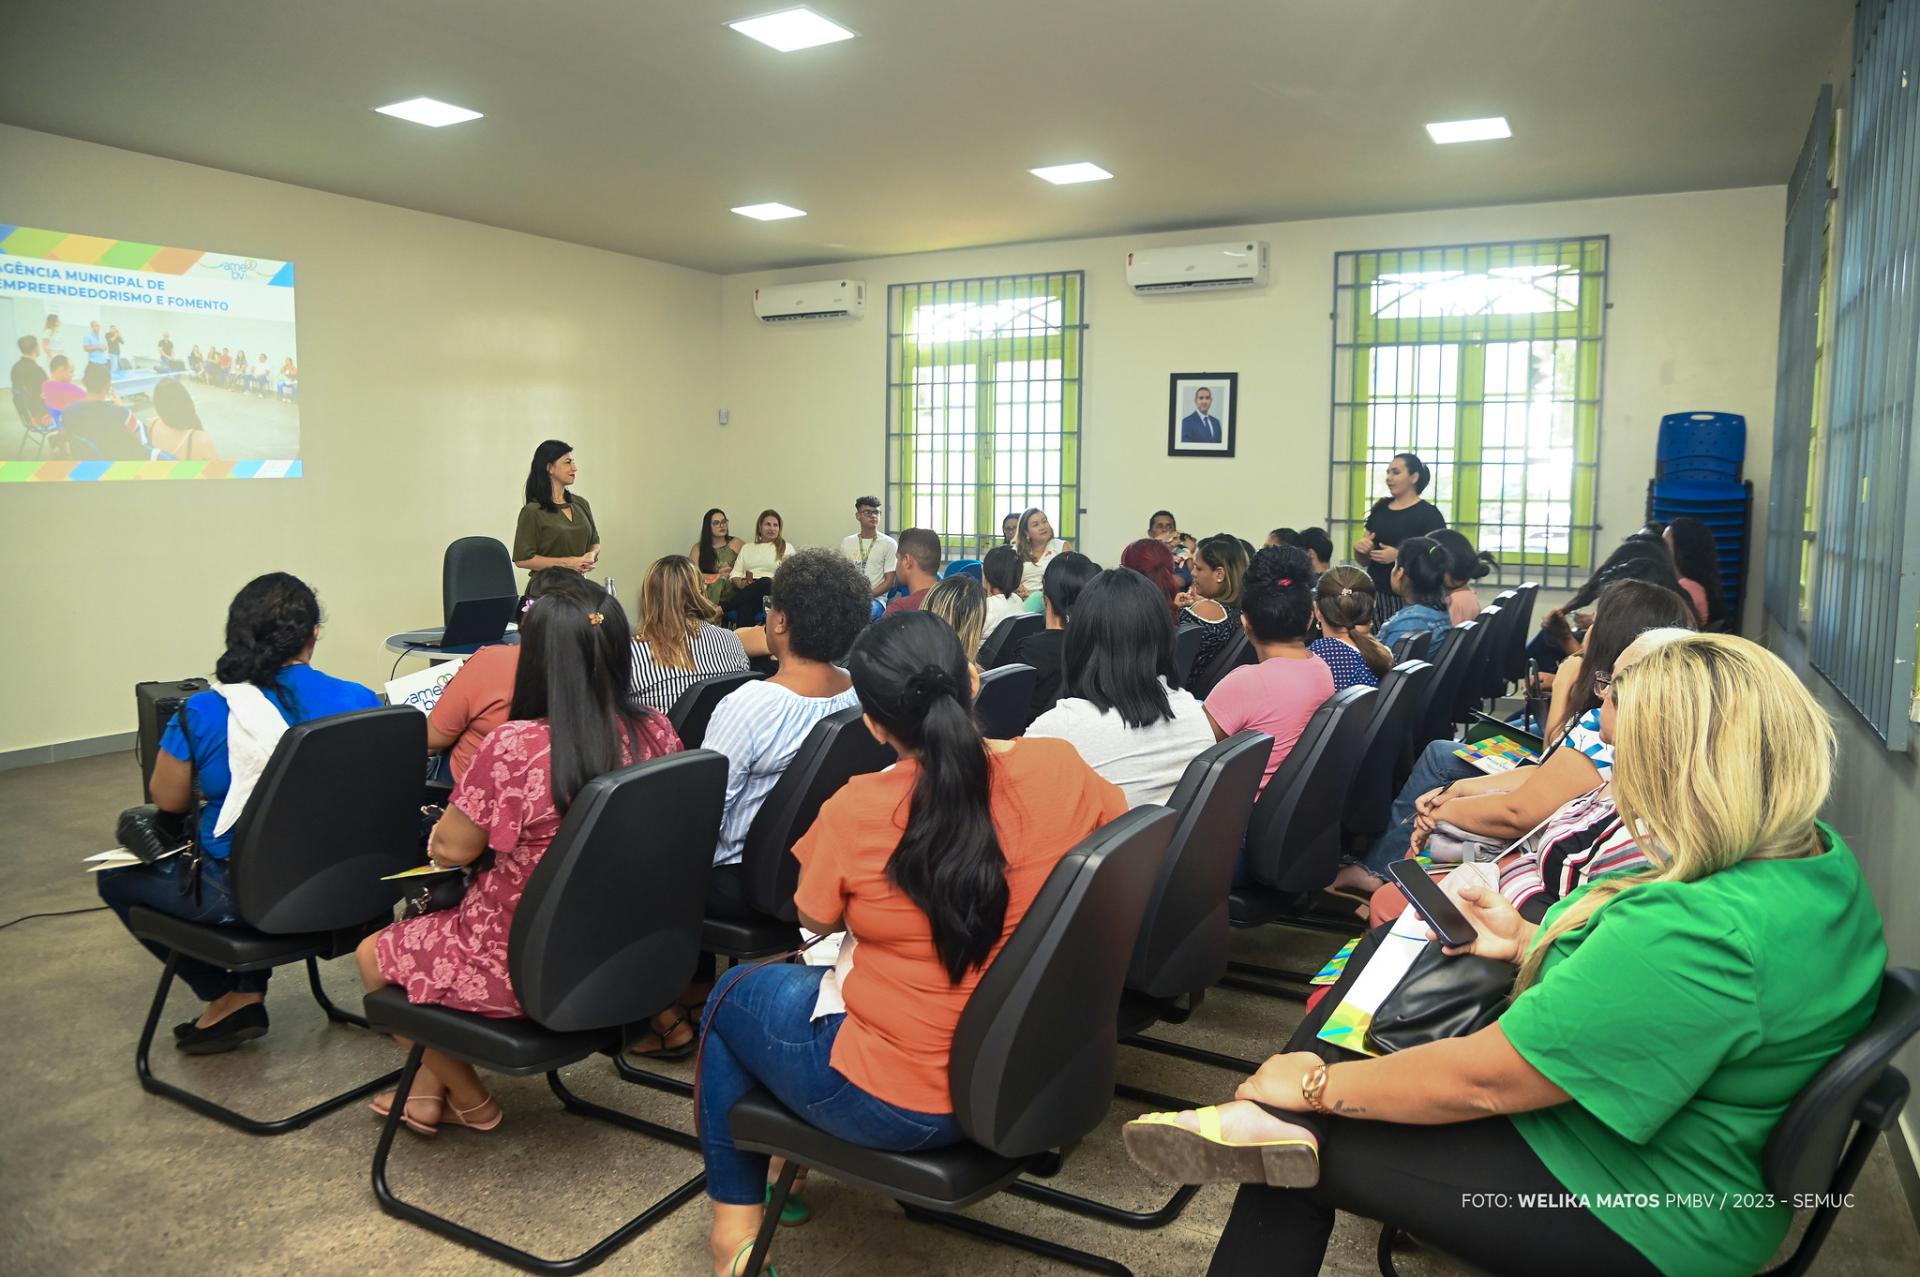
1616	1117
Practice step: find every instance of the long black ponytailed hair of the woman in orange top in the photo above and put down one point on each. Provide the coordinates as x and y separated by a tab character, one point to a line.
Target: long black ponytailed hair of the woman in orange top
915	683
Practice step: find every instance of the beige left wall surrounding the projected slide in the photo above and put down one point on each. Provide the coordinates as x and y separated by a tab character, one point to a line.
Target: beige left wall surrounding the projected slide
435	356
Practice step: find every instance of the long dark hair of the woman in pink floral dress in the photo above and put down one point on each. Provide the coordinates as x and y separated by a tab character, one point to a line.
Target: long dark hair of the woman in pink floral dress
577	671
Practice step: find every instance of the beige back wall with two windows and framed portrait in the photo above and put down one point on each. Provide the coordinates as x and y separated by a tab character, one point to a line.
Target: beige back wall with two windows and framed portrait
1696	304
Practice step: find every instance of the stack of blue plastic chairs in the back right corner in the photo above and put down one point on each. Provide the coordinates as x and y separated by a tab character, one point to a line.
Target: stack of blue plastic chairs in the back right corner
1698	473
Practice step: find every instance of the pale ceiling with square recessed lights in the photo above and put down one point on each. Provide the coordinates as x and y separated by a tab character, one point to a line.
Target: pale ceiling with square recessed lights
638	124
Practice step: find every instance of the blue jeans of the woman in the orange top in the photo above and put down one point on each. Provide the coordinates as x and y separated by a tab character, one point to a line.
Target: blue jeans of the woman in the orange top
761	1034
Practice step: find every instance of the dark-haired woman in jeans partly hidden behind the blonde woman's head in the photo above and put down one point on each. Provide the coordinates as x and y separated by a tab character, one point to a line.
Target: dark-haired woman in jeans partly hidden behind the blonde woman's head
1510	804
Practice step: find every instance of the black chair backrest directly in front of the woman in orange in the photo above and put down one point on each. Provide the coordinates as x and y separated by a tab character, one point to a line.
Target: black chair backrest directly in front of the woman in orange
838	750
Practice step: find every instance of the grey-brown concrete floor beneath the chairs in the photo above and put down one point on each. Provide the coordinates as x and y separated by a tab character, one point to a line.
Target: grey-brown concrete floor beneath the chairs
103	1178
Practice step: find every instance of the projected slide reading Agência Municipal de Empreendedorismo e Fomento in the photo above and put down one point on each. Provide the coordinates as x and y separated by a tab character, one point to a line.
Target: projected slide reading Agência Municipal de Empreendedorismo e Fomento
147	362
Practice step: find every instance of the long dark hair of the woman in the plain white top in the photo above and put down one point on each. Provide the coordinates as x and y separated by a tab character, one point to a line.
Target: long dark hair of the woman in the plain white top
1120	648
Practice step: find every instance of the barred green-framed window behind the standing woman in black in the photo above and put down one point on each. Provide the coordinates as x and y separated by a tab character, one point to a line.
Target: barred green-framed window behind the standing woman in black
1487	360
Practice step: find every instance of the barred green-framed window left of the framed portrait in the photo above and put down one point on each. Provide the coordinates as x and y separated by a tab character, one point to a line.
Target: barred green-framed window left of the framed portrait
984	404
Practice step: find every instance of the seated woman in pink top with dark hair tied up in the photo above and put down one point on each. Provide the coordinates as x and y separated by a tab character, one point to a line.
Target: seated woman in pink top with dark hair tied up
1280	694
